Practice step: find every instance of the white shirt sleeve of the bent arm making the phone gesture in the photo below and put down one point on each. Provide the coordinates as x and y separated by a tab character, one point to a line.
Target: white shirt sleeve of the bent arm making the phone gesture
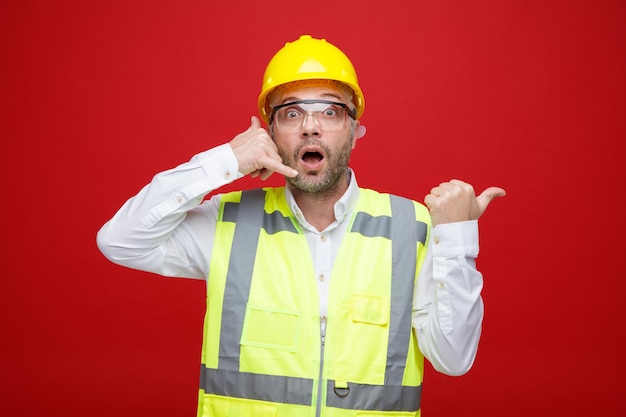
164	228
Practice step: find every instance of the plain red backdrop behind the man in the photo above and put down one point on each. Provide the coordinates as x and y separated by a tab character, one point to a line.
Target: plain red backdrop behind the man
96	97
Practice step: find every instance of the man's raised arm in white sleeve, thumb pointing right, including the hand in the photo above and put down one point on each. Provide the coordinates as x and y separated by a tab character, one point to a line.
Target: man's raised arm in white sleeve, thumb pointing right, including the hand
448	309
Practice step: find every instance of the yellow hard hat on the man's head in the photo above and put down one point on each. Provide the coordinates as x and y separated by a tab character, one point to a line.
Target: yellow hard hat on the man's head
309	59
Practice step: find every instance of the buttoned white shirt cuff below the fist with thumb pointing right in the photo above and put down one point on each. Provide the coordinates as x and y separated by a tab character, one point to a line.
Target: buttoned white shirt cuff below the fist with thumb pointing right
455	239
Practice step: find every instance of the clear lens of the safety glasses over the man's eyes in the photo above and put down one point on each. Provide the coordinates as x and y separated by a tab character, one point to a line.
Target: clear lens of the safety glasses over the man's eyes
328	115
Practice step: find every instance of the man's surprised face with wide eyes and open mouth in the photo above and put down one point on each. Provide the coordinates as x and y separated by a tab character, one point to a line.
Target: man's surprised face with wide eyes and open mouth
318	151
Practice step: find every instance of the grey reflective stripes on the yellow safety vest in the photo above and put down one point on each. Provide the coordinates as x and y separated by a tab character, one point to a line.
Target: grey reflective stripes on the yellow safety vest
250	217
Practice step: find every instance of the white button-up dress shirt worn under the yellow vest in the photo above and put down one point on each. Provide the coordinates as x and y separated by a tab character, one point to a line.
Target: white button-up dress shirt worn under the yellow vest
168	229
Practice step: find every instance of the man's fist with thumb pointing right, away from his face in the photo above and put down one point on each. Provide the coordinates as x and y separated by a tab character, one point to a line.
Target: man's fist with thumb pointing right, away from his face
455	201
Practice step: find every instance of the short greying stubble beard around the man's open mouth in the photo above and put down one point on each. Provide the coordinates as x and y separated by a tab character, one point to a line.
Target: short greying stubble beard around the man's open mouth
321	183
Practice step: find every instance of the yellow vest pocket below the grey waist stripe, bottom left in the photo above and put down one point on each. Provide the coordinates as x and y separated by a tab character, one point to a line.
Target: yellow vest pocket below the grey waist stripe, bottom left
216	406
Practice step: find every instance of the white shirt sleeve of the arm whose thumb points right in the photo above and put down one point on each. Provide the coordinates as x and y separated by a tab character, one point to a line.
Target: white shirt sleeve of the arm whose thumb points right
448	309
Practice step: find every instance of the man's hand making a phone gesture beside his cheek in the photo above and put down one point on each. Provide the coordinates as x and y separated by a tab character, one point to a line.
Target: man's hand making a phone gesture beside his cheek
257	154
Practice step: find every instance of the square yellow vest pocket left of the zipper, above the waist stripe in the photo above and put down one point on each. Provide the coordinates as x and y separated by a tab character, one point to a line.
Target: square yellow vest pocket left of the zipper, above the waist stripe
271	328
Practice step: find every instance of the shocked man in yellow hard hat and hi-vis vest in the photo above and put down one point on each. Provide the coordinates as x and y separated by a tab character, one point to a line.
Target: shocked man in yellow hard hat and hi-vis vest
322	297
